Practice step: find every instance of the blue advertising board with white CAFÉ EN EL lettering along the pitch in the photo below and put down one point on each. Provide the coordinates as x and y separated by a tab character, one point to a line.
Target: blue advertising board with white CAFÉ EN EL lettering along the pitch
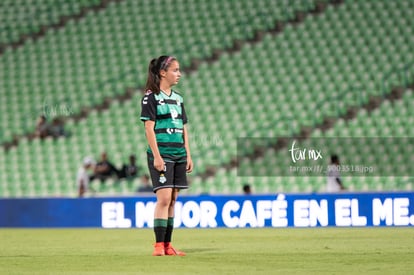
280	210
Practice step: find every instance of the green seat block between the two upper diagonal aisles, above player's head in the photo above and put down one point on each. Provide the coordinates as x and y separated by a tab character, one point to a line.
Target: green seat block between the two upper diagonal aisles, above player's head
87	61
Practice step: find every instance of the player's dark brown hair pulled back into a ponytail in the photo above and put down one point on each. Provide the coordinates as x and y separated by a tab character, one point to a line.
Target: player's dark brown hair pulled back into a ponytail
154	78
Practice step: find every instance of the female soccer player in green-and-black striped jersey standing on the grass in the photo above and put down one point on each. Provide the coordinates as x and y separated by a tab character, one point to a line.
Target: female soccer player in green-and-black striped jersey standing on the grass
169	157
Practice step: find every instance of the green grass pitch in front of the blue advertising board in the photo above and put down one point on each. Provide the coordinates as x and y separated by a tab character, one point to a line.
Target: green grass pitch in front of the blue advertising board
209	251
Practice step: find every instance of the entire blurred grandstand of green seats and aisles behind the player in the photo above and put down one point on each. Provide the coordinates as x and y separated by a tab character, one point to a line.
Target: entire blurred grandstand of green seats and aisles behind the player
72	75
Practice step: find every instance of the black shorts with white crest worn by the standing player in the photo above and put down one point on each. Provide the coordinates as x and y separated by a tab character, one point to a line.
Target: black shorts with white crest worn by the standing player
173	176
